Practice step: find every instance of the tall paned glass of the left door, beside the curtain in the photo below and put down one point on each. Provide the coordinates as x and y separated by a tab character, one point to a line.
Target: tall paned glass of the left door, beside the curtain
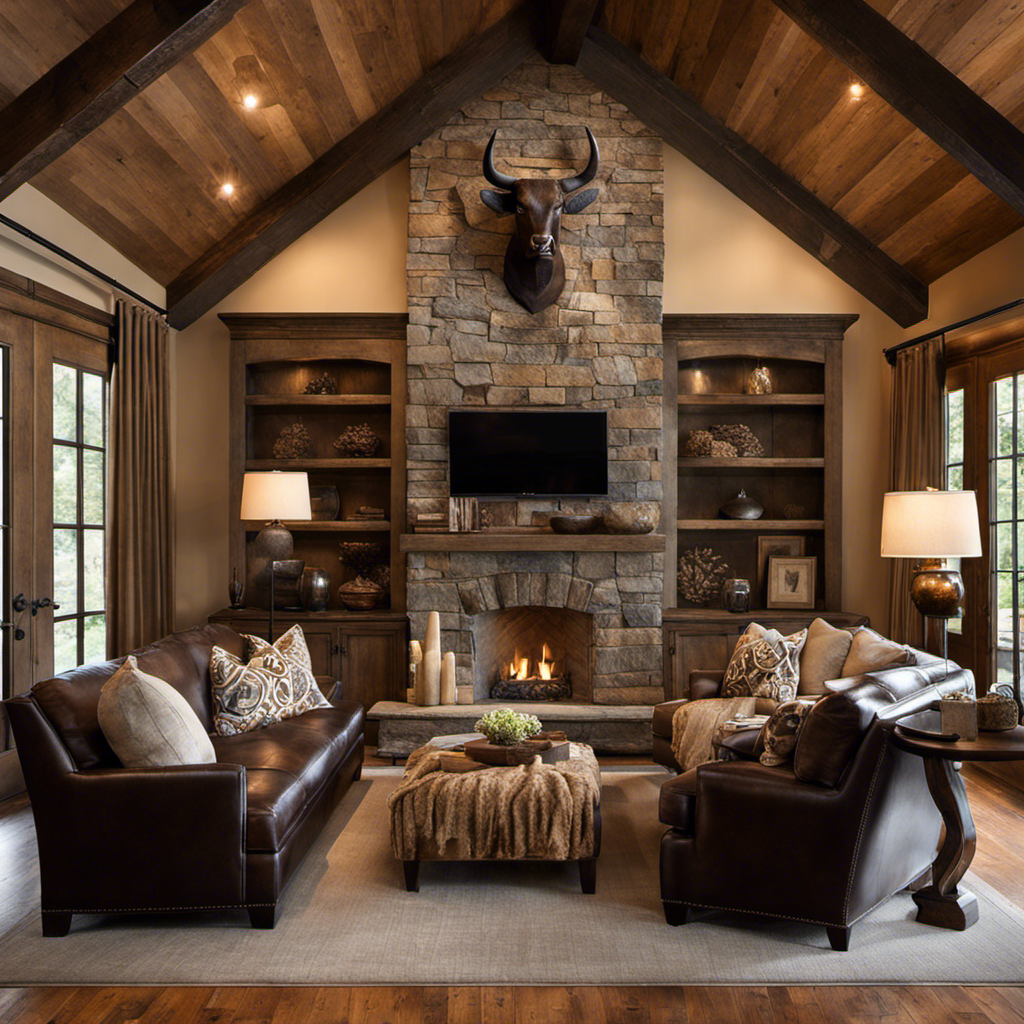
79	476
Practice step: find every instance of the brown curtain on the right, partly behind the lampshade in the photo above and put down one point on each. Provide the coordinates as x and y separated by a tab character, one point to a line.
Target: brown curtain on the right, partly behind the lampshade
917	437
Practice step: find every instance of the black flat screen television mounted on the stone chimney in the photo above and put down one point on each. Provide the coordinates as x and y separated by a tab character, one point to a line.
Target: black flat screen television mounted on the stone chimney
535	453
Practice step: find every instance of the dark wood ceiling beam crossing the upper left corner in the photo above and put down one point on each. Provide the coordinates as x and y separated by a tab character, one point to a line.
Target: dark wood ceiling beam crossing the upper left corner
77	96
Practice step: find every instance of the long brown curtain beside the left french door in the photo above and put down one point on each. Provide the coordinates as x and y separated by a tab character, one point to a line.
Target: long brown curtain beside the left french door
141	525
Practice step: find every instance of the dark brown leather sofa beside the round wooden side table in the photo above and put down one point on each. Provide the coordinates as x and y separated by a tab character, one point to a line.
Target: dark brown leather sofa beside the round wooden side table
825	839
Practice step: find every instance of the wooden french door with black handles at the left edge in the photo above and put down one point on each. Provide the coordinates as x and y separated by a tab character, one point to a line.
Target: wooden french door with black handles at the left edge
53	486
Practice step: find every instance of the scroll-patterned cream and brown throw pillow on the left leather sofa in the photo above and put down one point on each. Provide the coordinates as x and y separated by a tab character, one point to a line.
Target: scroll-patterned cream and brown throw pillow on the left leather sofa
254	696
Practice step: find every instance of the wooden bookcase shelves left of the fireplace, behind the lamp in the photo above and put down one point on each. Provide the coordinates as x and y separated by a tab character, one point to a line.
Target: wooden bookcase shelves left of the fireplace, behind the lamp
274	358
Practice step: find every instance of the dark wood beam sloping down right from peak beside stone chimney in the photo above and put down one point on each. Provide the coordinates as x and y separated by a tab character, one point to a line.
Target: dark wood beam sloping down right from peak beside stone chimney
753	178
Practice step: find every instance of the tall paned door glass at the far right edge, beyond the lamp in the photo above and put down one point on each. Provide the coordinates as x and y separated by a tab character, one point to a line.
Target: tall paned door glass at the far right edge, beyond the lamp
1006	482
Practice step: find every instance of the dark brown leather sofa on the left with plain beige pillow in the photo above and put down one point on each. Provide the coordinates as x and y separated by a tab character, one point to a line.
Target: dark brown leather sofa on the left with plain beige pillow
116	840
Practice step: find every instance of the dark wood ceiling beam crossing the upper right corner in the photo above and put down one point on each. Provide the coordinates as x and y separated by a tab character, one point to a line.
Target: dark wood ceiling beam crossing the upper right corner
929	96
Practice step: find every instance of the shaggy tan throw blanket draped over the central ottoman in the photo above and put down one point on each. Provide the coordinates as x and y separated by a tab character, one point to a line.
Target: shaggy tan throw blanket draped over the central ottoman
536	810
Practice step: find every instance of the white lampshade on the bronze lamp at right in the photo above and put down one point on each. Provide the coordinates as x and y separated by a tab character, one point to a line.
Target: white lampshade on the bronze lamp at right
930	525
